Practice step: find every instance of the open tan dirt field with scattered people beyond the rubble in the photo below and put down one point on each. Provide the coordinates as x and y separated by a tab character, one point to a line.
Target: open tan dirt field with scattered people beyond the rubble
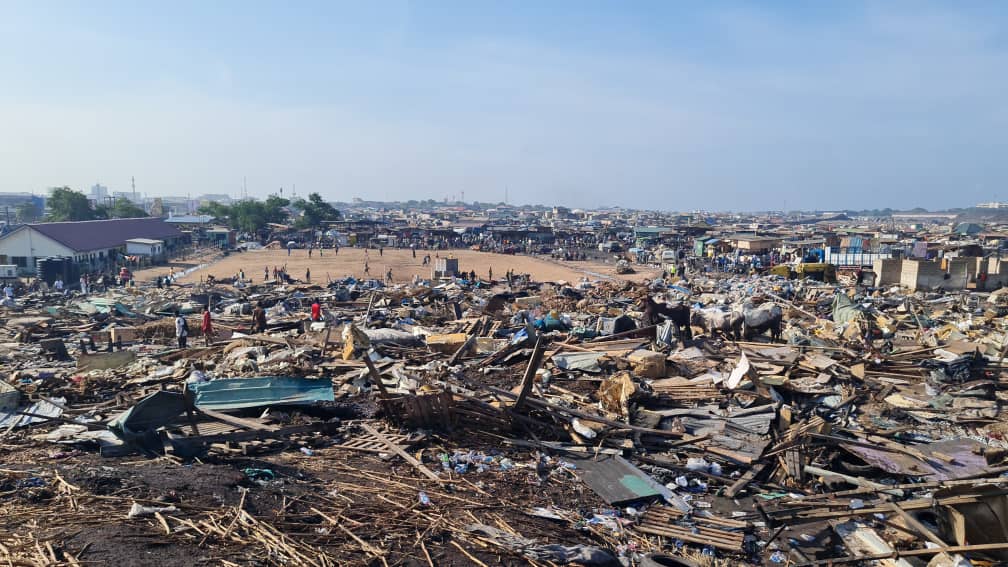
350	262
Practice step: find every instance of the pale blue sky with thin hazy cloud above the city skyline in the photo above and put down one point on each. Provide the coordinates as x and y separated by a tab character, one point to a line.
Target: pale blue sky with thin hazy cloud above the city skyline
662	105
